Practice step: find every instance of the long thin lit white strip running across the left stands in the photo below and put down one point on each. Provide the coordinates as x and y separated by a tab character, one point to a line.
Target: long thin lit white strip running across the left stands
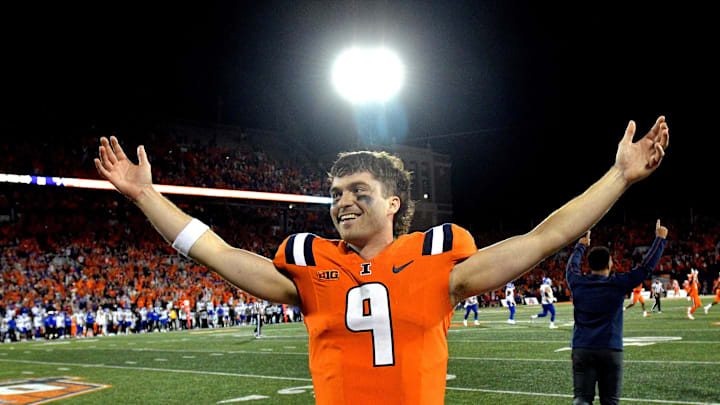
164	189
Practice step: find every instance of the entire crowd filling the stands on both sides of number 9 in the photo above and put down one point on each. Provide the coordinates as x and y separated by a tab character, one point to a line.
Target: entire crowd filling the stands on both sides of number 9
76	262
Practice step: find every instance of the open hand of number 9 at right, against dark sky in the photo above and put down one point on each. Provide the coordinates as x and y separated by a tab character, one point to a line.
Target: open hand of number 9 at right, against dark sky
637	160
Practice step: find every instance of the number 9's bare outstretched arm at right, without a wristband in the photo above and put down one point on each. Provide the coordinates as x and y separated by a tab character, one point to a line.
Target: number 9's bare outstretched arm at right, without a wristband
505	261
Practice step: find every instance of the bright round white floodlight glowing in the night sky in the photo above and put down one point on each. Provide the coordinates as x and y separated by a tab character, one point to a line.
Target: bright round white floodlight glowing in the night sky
367	75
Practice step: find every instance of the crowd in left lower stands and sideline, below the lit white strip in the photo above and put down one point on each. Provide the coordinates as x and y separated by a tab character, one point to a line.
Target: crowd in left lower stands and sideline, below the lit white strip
74	254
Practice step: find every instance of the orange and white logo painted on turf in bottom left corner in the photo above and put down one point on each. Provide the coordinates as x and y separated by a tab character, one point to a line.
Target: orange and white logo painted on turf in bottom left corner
42	390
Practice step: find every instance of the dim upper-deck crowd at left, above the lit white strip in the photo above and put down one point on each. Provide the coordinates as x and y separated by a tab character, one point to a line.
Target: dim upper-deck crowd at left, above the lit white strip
191	162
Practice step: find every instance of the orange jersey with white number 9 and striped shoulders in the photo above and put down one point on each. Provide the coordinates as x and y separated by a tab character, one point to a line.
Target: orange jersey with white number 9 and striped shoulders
378	327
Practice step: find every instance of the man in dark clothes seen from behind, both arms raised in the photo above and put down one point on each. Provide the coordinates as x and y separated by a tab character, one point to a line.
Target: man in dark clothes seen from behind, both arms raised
598	302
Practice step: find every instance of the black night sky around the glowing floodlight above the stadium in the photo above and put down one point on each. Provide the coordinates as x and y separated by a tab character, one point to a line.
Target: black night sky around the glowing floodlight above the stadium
529	99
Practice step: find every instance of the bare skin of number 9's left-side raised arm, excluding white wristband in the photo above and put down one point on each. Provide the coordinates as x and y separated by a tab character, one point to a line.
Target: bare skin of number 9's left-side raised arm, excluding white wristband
246	270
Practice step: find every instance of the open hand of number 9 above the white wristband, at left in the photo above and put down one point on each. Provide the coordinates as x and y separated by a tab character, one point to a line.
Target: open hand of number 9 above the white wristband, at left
127	177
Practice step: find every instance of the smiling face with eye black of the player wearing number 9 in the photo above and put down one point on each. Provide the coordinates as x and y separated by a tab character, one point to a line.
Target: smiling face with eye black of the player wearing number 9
361	211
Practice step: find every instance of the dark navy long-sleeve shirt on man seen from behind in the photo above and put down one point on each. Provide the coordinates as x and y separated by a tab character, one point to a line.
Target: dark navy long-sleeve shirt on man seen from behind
598	300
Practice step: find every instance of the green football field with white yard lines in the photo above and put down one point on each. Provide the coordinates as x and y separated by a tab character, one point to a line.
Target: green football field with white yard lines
669	359
